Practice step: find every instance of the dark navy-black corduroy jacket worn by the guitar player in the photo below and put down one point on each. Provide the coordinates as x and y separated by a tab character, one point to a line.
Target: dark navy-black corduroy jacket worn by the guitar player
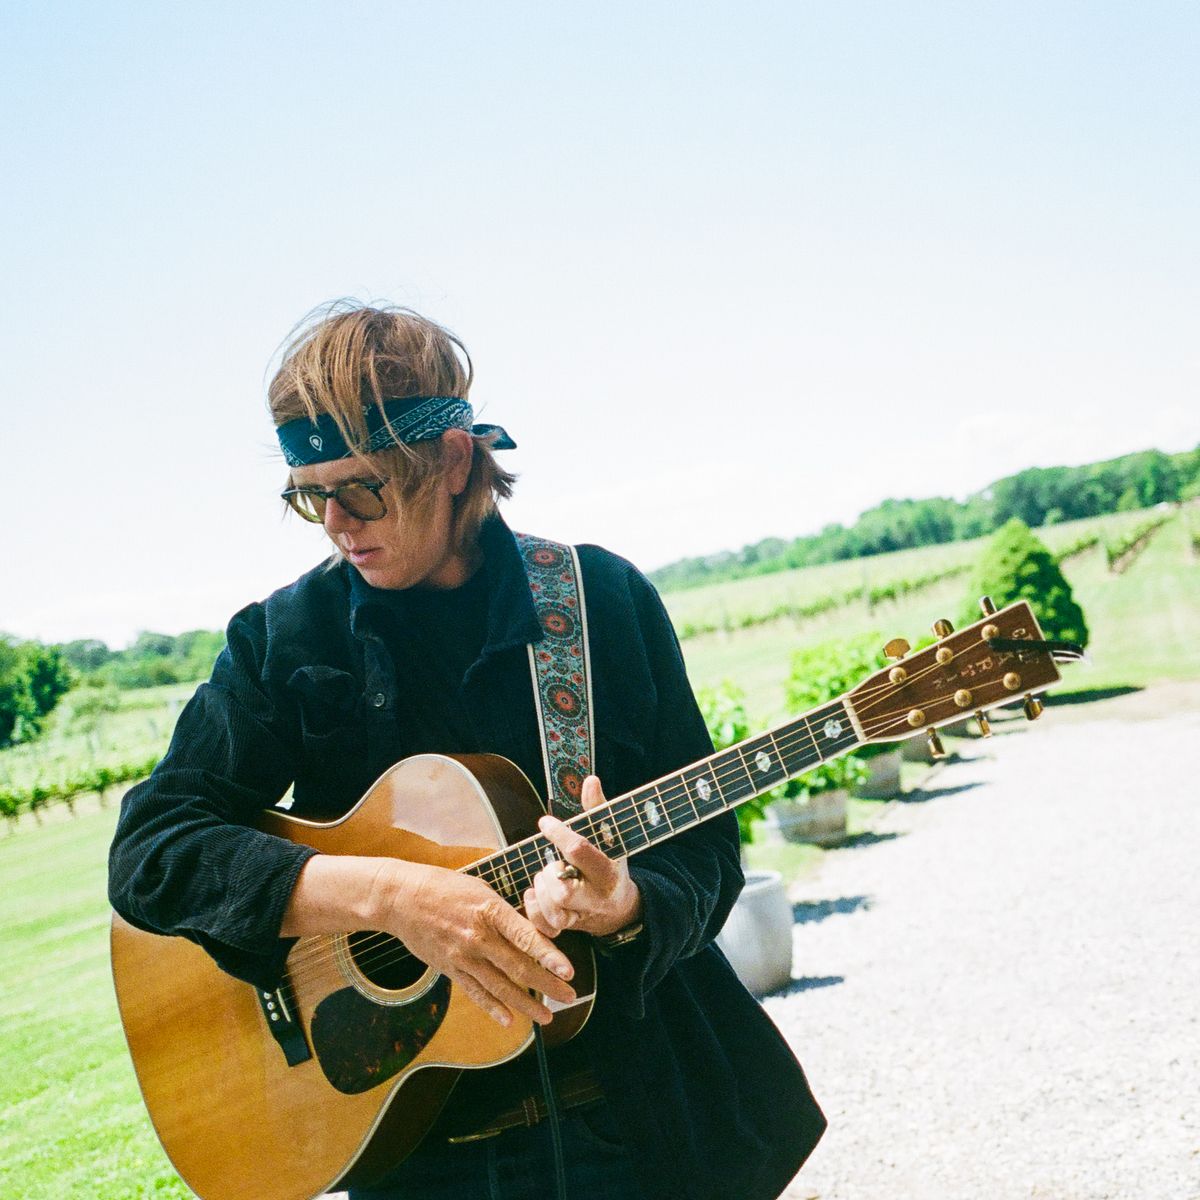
323	687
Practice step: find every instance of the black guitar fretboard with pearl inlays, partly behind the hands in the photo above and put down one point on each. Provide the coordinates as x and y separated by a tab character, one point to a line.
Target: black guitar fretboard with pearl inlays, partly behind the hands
641	819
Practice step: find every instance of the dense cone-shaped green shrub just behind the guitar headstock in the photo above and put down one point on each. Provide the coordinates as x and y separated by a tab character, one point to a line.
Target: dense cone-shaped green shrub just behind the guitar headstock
1017	567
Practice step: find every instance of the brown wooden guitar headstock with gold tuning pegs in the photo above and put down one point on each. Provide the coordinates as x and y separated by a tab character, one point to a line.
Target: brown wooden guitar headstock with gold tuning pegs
958	676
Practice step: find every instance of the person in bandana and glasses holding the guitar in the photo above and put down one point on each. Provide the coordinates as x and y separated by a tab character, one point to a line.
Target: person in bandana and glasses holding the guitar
412	638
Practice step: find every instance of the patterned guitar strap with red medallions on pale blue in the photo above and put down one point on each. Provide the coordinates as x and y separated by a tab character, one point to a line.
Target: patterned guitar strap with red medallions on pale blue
562	671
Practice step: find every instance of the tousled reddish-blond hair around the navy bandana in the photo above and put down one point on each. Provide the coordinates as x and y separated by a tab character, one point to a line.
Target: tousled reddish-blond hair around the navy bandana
346	356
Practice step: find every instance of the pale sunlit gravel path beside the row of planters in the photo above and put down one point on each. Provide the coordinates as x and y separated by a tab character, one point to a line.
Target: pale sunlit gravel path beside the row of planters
998	997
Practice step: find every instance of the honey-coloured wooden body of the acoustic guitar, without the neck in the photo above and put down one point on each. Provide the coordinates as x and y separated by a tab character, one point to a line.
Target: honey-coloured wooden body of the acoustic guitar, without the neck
383	1039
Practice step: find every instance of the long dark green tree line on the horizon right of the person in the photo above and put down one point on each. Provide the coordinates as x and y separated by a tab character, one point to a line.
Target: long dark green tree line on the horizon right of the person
1037	497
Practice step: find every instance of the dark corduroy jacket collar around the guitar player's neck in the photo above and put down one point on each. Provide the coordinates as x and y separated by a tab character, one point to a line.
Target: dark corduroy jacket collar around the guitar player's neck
512	616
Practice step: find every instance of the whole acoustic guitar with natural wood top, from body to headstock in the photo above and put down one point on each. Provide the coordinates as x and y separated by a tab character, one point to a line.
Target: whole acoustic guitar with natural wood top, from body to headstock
334	1077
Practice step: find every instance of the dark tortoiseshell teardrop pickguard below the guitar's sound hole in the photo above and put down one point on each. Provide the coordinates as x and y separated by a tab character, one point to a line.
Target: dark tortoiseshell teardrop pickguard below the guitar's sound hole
362	1045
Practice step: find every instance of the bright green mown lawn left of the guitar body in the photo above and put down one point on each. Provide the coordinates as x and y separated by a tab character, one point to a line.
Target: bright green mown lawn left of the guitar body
74	1121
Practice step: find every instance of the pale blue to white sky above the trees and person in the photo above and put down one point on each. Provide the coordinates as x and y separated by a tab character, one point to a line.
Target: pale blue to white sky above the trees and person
725	271
